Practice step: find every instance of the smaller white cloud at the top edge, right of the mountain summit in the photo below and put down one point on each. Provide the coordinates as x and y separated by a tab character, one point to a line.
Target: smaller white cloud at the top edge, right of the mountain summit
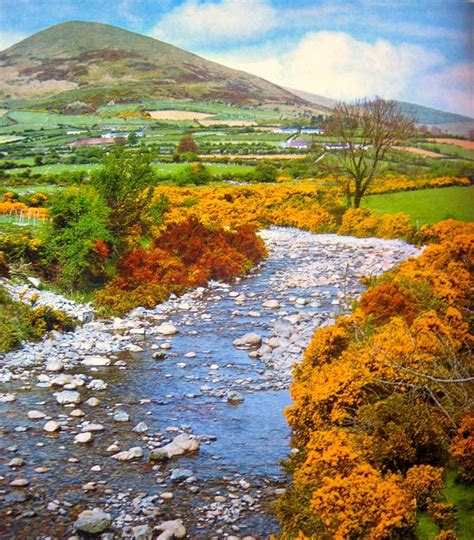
197	23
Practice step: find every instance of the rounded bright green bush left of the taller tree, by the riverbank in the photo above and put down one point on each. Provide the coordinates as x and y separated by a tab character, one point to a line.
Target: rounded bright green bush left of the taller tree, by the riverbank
78	221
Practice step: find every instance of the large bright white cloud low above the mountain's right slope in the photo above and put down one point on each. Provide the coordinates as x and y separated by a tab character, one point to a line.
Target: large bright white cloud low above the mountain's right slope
335	64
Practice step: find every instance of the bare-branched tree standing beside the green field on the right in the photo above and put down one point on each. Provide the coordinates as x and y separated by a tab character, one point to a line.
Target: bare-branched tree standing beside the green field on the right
367	130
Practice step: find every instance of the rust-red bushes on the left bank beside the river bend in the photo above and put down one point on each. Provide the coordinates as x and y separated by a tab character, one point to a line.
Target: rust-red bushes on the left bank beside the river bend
187	254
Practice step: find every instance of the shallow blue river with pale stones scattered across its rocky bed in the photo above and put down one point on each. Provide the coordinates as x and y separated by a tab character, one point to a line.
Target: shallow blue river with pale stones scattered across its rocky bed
169	421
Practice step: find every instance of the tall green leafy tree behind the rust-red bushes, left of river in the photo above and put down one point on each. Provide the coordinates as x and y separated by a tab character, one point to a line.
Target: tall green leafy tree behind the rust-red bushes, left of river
126	183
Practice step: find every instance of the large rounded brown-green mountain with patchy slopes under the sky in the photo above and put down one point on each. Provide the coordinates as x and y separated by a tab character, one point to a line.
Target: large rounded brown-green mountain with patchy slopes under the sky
94	63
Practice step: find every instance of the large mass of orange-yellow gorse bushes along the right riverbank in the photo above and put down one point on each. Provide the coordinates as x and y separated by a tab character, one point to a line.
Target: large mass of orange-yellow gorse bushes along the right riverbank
381	399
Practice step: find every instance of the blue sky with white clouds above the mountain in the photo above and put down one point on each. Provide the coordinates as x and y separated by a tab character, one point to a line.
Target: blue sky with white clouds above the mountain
419	51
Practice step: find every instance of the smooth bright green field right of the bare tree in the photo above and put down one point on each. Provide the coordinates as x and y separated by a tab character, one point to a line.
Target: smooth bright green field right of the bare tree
427	205
